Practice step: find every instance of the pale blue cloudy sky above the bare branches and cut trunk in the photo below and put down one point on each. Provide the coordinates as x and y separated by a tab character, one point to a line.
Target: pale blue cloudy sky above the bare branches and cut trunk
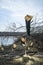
15	10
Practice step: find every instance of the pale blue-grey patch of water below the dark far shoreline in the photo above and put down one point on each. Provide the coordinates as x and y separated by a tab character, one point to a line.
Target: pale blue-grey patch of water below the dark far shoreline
7	40
